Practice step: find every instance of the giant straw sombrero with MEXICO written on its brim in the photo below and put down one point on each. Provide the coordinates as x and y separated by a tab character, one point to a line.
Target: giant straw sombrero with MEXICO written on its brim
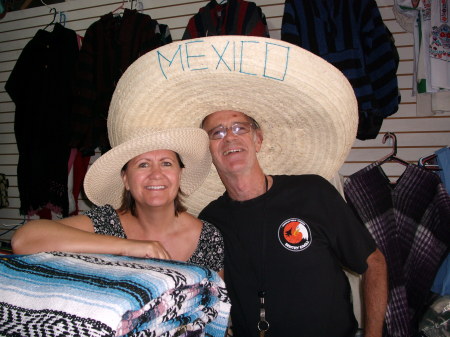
305	106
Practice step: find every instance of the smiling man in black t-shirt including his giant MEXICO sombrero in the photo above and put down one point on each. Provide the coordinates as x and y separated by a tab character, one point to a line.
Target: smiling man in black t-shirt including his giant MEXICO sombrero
281	122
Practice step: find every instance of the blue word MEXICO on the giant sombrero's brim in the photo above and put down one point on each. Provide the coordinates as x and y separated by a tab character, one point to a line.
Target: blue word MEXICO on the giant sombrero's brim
230	59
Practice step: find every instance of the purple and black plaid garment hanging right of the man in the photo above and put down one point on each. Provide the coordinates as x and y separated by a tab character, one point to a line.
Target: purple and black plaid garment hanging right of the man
409	222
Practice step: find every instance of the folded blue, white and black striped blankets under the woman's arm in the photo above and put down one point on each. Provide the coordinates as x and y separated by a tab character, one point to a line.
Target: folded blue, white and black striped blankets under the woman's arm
63	294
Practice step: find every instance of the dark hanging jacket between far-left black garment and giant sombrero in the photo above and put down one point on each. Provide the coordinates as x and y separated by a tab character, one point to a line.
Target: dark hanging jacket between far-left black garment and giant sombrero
110	45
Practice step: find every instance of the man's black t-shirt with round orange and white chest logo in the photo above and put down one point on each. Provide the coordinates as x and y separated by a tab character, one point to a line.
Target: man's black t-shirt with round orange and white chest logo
291	242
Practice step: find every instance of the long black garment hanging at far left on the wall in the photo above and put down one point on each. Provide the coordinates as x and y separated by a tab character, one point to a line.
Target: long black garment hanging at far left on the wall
40	85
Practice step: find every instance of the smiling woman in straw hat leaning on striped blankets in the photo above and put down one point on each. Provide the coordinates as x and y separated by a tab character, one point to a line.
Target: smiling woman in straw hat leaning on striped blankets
138	186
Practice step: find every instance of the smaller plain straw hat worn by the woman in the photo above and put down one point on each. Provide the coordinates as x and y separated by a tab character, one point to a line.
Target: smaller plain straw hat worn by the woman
103	182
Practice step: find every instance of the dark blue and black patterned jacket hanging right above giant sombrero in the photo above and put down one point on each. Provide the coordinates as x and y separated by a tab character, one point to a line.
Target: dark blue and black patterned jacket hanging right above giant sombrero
351	35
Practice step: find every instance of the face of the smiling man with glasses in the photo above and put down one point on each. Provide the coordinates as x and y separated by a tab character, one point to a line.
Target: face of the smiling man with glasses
233	153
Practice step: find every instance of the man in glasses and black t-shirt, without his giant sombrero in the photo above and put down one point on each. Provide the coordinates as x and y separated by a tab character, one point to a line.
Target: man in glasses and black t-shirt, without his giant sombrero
296	265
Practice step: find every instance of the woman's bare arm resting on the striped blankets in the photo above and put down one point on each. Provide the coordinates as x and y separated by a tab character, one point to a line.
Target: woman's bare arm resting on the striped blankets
76	234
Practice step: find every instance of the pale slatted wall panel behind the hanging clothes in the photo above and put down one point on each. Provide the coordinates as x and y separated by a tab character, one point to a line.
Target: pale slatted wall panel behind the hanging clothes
416	136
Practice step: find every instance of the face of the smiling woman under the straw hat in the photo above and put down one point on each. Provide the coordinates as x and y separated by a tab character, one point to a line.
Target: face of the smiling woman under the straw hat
153	178
